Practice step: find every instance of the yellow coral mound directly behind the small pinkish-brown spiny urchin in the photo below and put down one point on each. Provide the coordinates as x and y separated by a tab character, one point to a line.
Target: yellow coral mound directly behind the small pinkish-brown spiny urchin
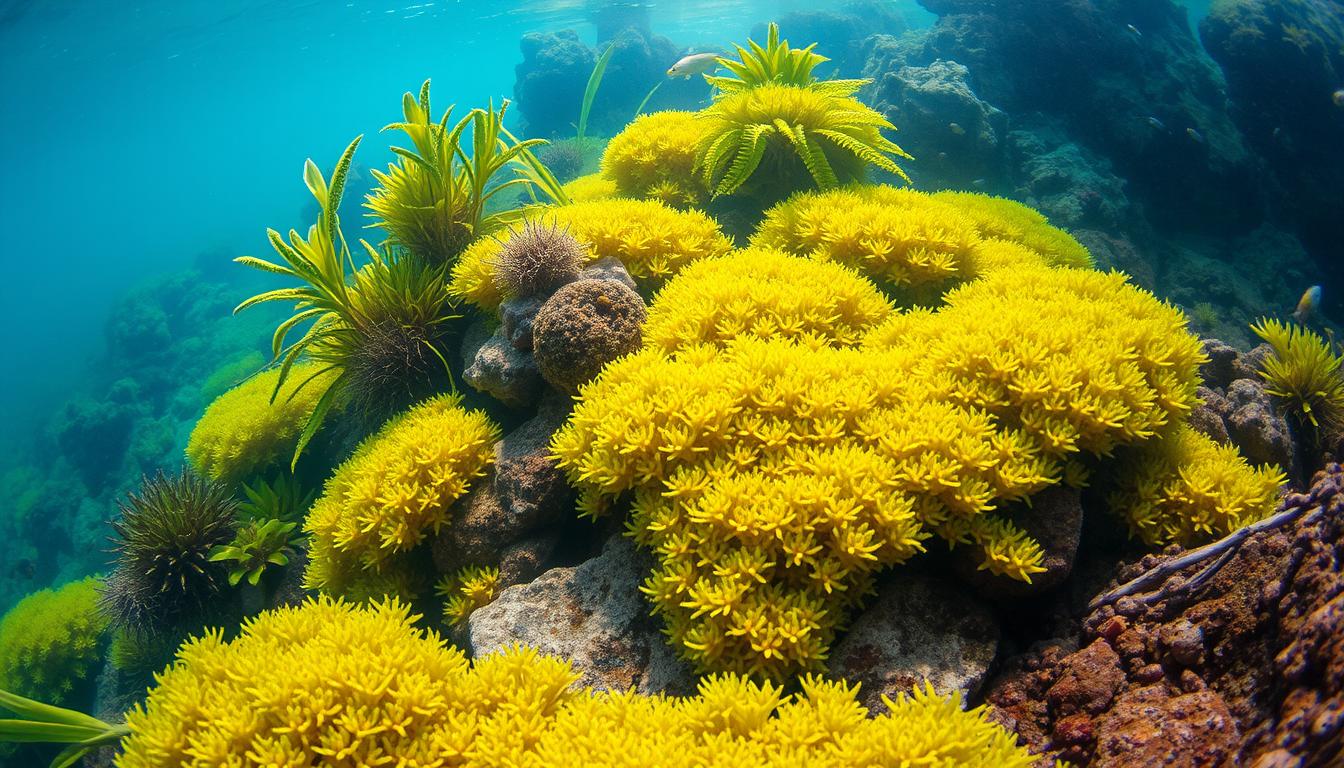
653	240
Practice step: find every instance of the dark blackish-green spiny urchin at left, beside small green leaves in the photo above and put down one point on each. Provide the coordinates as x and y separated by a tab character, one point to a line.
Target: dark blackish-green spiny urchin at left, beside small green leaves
163	543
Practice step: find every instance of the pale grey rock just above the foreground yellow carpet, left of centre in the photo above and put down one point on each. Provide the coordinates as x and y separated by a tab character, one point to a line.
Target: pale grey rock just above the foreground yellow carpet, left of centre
593	615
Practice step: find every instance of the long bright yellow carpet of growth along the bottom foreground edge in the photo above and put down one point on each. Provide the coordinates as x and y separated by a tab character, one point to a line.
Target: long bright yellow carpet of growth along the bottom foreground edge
362	688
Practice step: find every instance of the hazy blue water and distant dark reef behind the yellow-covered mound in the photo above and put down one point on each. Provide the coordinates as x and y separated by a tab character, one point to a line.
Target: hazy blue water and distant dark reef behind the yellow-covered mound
154	142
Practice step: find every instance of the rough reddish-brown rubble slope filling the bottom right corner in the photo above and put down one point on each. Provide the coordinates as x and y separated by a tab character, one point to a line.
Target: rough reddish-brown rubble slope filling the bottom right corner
1249	670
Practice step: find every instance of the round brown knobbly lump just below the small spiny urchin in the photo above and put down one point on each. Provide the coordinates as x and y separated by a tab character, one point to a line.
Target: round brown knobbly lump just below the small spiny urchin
583	328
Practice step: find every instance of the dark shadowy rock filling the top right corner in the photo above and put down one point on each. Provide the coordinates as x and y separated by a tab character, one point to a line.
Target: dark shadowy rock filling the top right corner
1284	60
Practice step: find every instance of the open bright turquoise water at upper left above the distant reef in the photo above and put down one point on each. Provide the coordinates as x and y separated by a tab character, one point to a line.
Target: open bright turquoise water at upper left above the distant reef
142	135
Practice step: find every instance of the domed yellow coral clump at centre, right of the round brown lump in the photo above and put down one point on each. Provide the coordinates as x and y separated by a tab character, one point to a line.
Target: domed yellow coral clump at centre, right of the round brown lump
765	294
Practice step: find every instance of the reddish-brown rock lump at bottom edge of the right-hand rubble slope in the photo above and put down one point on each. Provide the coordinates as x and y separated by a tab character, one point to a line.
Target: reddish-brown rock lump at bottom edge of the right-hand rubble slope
1151	727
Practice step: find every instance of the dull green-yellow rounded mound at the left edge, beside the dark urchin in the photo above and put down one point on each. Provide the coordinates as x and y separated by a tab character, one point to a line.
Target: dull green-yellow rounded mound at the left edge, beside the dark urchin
52	641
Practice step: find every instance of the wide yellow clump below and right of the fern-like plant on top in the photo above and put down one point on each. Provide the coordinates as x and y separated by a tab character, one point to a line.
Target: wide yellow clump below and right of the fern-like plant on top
913	240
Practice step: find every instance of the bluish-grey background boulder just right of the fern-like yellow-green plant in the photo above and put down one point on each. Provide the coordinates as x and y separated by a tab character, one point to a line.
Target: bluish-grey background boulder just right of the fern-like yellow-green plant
956	138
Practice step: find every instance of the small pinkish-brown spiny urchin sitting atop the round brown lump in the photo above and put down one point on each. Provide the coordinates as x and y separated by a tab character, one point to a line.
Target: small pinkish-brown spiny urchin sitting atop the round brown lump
537	259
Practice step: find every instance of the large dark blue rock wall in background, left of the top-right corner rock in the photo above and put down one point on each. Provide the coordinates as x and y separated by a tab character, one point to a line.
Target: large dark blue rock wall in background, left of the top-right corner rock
1083	64
